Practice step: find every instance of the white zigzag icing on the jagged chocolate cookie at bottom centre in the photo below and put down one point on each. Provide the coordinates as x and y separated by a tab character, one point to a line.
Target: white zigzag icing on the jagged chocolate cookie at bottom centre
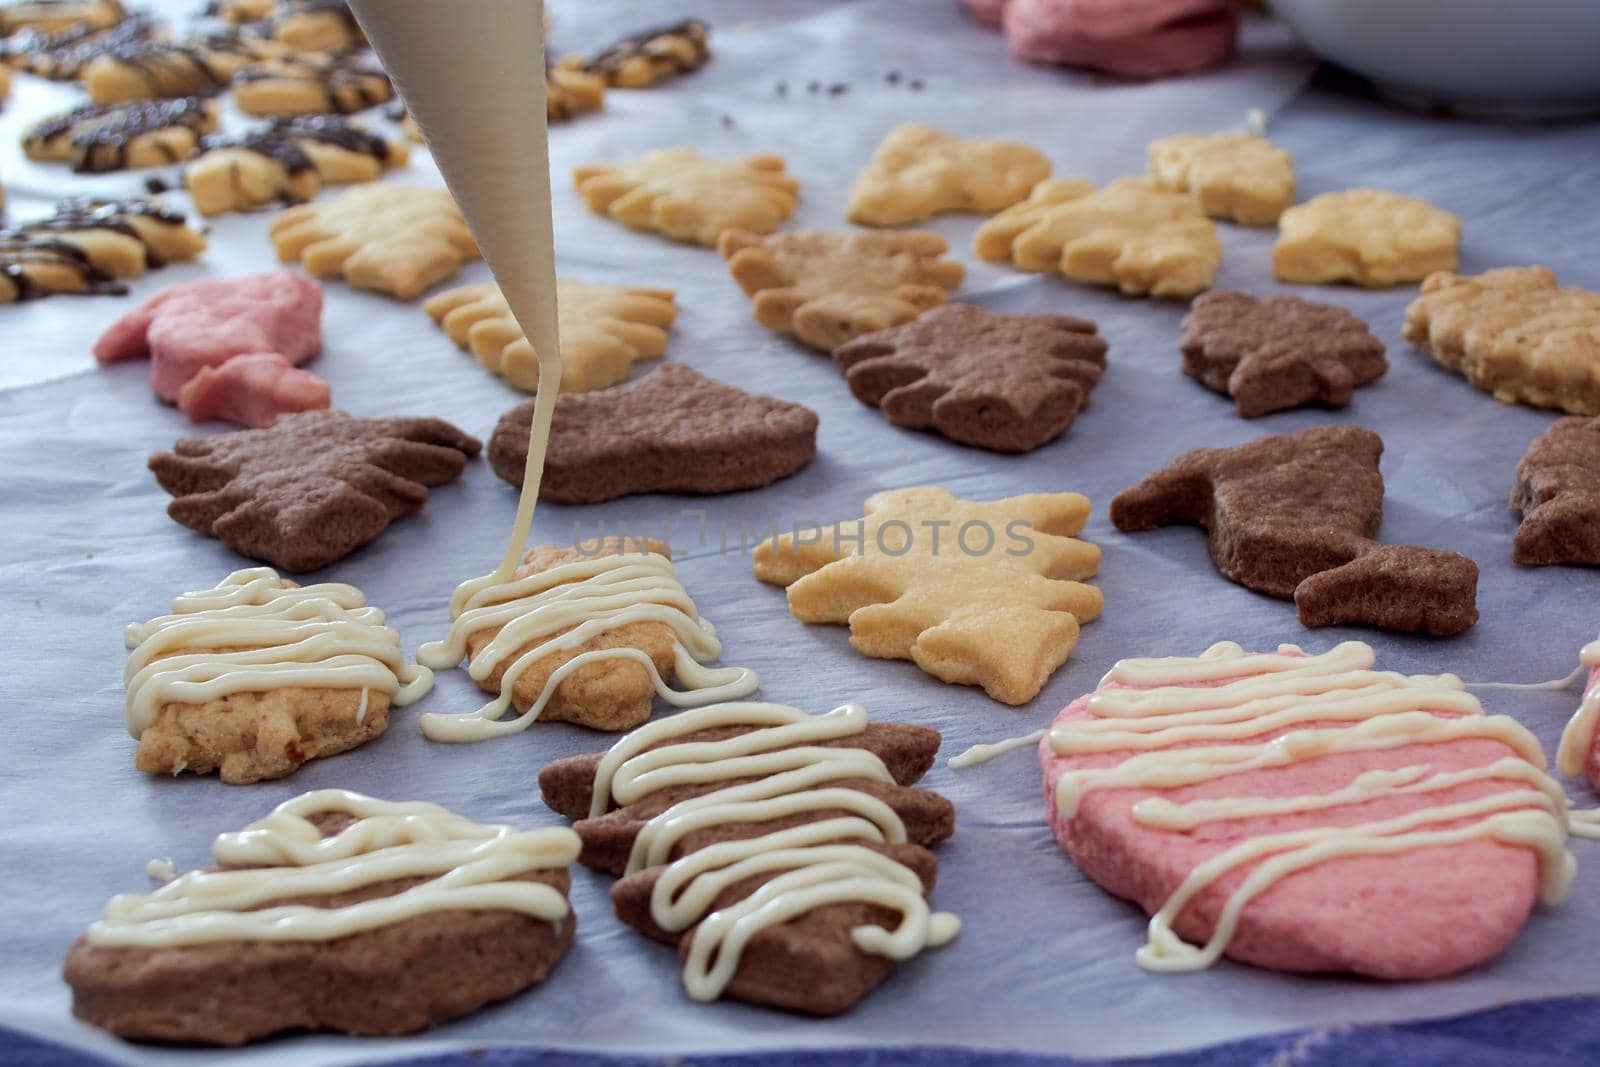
823	861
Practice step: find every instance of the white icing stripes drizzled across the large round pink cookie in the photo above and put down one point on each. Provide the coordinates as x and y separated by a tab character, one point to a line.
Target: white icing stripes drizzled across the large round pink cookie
1279	709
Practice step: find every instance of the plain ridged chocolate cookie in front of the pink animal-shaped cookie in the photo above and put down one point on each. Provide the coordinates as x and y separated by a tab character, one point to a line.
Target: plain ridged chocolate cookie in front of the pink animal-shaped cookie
313	487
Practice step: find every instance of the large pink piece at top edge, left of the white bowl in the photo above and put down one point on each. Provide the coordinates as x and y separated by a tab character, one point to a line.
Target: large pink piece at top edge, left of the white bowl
1138	39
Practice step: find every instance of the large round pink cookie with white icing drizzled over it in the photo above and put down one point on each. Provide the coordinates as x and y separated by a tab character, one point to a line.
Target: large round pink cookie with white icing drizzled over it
1306	813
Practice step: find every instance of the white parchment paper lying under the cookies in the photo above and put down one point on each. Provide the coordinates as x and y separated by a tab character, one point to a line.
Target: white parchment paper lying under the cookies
1046	959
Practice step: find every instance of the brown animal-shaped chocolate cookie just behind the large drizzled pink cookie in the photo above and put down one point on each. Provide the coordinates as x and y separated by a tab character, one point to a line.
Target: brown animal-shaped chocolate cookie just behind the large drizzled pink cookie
1295	518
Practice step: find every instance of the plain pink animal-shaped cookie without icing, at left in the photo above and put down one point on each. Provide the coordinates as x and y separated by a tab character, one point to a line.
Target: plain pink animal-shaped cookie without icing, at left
188	329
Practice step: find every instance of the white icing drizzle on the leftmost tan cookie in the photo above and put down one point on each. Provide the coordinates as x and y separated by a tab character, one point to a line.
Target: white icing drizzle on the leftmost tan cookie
257	633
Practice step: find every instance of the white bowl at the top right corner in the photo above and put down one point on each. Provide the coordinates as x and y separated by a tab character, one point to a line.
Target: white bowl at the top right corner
1540	54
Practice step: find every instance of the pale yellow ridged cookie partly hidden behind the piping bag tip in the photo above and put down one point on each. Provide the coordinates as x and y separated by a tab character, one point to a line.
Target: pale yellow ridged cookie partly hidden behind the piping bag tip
604	332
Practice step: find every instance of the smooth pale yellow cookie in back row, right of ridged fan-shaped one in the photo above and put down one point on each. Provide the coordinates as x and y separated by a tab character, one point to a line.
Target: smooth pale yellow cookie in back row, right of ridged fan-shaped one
921	172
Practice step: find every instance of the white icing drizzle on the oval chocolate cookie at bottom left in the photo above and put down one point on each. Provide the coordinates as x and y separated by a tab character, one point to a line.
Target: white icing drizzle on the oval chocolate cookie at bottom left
286	857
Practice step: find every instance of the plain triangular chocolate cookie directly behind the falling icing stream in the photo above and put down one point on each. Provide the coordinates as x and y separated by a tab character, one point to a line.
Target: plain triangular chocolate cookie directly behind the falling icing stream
671	431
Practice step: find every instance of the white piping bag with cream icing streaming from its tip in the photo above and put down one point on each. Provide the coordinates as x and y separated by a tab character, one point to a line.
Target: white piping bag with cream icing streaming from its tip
473	78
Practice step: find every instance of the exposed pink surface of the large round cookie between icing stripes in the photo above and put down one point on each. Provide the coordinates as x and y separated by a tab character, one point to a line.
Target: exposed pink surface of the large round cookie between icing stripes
1414	916
